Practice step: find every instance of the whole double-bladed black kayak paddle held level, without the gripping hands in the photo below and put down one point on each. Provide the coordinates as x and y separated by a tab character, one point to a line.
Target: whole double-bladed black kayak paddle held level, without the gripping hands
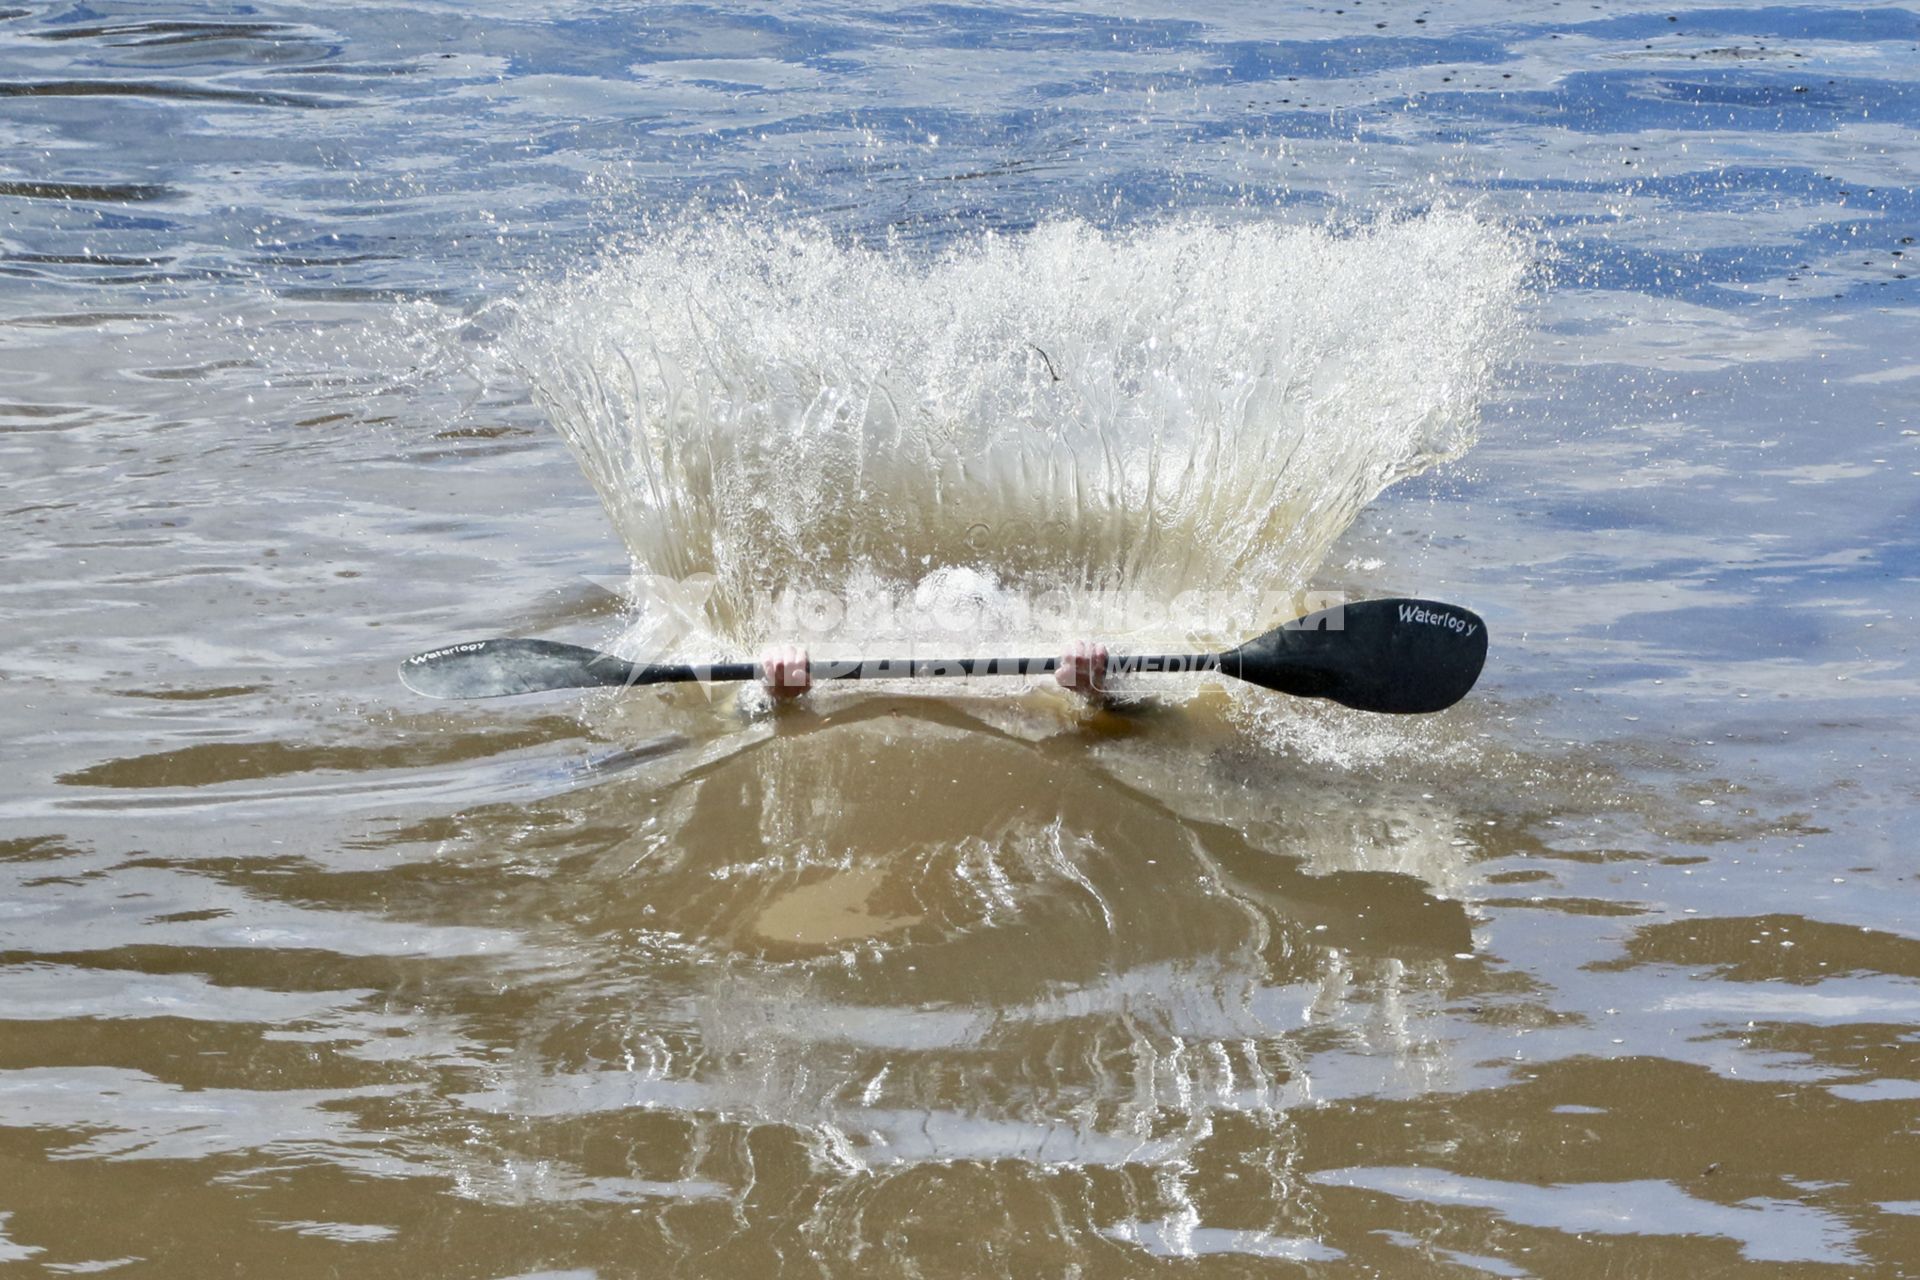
1397	655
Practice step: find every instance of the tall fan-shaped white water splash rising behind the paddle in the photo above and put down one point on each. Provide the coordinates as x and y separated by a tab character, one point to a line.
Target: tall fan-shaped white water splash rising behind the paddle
1019	437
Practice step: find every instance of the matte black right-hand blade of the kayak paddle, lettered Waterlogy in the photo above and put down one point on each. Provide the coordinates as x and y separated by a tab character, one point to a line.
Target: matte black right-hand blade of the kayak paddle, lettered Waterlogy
1403	657
